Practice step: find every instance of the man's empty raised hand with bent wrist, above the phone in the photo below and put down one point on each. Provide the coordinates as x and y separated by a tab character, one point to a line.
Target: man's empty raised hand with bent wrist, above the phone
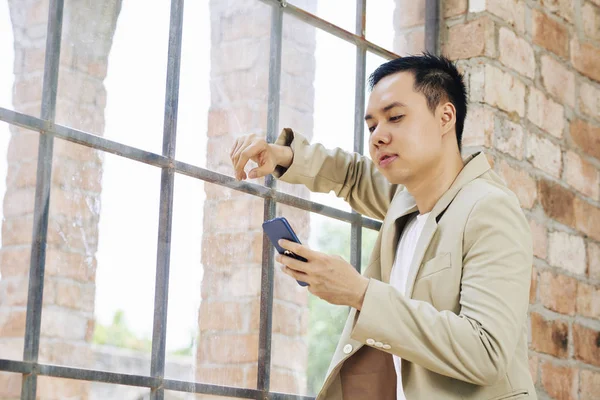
267	156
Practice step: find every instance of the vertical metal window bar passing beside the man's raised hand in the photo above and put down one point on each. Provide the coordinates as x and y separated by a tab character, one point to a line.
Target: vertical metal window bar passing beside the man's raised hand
267	275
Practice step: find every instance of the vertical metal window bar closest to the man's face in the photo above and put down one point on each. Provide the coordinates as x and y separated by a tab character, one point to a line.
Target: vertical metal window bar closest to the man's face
359	111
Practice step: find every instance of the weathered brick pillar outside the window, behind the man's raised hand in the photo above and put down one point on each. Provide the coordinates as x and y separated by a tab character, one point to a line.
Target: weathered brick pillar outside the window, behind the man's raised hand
232	240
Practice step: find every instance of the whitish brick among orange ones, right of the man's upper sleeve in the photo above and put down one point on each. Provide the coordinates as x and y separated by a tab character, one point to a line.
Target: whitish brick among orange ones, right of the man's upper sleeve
567	252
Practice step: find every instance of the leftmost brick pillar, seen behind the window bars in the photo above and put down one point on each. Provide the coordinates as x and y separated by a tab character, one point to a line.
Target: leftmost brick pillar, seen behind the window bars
67	318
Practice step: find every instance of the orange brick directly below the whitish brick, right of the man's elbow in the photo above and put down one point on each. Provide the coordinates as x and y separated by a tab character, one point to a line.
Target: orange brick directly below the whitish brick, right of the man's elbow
558	292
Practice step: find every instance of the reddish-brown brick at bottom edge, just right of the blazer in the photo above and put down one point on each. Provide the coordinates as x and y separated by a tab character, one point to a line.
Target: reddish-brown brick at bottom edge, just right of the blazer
560	382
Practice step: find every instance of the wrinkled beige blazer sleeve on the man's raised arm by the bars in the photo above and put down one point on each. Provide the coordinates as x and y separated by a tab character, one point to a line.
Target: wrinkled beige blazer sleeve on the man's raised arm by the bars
350	176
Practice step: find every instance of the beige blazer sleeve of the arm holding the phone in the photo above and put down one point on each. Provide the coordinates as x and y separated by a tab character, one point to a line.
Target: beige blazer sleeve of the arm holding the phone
478	344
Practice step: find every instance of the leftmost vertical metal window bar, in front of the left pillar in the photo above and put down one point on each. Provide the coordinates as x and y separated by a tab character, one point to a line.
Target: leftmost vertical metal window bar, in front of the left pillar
35	293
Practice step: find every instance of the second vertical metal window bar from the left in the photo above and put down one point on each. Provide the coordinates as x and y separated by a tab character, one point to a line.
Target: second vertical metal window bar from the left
167	183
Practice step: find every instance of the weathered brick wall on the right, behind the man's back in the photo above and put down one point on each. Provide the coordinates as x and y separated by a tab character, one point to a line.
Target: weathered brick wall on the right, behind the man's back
534	98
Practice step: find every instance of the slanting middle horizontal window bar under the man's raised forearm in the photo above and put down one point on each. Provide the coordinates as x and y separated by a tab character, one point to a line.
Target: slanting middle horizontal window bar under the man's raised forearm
157	160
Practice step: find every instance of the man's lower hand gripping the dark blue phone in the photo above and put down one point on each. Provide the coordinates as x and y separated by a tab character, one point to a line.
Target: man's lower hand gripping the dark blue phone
330	278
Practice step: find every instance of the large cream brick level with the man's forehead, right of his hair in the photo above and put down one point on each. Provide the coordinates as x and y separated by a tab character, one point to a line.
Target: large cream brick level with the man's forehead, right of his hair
504	91
